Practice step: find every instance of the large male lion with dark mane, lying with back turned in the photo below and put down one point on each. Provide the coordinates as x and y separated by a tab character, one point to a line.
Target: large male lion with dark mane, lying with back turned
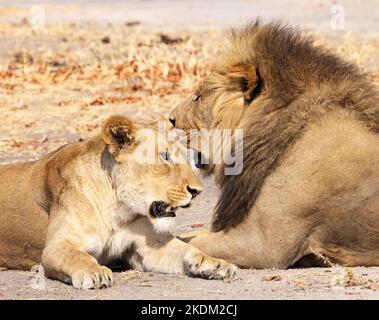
310	179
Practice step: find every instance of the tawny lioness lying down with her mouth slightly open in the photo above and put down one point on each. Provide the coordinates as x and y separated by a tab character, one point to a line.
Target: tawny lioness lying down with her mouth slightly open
90	202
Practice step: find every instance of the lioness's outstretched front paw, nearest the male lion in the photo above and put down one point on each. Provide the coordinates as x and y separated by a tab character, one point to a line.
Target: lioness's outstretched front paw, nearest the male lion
206	267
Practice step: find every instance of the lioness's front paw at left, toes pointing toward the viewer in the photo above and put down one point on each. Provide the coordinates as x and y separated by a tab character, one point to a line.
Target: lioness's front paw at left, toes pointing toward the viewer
94	278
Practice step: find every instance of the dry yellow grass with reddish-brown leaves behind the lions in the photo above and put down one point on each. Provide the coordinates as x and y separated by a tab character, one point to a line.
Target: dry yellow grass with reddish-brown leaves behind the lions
57	85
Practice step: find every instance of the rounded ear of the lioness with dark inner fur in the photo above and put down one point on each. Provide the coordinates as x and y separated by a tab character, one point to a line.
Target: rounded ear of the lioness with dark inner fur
118	132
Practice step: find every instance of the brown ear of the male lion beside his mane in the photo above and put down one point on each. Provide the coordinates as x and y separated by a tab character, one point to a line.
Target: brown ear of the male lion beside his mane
244	77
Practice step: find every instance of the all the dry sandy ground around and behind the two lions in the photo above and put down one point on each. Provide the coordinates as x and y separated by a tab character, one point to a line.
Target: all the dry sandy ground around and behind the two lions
59	81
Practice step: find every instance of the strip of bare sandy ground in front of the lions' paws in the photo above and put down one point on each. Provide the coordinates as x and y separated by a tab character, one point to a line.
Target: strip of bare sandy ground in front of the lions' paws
313	283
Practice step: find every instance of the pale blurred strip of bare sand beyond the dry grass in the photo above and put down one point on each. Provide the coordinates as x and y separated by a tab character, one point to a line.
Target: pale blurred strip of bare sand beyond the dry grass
360	15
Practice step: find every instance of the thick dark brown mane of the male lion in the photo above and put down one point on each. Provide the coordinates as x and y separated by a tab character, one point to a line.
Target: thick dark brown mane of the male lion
301	82
